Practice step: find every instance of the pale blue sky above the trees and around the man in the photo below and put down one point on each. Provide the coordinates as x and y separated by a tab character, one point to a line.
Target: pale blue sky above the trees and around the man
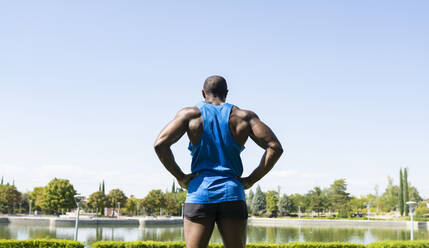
85	87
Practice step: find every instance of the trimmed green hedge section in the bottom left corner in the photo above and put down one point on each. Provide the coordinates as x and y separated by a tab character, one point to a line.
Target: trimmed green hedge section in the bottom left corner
40	243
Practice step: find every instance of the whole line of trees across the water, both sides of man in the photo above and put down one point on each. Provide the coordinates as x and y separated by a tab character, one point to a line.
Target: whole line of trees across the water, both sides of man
334	201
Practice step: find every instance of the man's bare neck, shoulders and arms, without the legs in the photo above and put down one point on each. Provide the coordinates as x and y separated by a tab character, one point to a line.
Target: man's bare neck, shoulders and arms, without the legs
242	124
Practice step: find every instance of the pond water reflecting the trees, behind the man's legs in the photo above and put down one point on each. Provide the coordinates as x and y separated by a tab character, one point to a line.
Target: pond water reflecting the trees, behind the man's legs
91	234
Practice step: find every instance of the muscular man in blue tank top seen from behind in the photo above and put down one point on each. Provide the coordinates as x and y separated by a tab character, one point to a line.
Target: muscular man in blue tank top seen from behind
217	132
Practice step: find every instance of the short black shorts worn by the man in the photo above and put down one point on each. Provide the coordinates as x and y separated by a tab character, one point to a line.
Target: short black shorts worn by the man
232	209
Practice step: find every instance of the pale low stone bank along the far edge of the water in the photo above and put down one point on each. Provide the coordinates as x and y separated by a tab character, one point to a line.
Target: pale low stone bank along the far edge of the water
273	222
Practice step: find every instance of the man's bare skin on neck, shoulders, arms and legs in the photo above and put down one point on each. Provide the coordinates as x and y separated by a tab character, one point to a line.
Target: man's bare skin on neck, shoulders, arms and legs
242	124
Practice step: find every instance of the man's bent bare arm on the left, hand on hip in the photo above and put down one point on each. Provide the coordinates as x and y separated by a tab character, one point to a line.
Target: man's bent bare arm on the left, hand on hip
169	135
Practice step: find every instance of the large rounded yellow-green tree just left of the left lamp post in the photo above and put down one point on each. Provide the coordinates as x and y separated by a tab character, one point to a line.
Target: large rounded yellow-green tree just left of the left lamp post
58	194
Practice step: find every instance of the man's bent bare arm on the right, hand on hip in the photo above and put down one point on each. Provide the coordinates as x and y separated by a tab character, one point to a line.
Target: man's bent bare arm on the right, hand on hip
262	135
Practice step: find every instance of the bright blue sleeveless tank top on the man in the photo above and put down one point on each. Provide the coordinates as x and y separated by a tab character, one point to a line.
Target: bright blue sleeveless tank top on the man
217	158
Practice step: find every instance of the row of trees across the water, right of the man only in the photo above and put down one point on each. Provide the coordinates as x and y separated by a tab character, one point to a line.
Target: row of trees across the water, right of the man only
335	201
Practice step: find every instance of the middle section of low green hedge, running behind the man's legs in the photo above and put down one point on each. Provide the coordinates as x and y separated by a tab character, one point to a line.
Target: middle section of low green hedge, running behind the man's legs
156	244
